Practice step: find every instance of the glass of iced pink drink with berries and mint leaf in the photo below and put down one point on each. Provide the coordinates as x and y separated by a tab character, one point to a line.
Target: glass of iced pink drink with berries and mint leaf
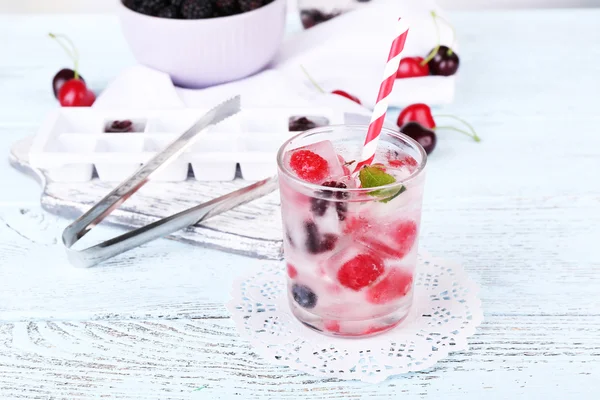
350	240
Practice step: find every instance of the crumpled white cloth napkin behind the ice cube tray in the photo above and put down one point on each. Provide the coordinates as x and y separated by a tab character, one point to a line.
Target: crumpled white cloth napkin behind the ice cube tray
346	53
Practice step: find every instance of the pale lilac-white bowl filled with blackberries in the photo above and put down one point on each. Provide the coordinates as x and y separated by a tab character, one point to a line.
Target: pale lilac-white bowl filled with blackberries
202	43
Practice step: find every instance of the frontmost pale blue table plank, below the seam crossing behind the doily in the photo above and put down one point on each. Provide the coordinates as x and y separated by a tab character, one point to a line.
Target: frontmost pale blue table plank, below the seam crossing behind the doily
510	357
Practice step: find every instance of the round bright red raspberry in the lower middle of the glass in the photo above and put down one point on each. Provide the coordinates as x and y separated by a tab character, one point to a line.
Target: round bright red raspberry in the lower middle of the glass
361	271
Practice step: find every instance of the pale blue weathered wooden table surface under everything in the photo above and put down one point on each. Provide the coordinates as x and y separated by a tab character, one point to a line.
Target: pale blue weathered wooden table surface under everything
521	210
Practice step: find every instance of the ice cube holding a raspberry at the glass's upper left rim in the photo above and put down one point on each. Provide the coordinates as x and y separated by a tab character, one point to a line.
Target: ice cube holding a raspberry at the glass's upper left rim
307	169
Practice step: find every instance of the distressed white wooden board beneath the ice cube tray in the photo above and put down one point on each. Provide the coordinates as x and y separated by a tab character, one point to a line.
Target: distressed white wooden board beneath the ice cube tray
253	229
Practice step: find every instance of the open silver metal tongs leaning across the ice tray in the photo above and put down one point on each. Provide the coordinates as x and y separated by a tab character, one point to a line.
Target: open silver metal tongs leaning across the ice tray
93	255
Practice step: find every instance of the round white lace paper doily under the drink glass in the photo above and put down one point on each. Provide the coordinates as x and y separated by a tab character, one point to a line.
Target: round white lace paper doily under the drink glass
446	311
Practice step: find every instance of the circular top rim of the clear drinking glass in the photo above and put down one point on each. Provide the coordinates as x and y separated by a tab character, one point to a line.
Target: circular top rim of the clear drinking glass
289	174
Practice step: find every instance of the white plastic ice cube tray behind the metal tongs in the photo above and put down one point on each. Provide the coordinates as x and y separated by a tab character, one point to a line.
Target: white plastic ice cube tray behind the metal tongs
72	143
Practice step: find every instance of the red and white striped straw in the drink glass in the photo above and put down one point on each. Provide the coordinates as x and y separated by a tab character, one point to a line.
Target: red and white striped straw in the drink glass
389	77
